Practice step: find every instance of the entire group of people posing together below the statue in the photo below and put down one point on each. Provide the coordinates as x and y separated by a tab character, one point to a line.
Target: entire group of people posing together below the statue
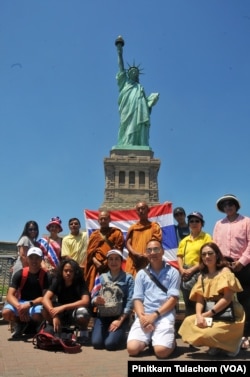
81	274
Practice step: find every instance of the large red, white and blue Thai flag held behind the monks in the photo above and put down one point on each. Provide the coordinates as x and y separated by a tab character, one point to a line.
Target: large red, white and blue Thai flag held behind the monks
162	213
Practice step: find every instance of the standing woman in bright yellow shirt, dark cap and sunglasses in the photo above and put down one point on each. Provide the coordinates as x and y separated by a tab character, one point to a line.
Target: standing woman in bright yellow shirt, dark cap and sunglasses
188	257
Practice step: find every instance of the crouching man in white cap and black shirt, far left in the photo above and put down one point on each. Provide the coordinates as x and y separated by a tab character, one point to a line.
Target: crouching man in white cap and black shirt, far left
25	294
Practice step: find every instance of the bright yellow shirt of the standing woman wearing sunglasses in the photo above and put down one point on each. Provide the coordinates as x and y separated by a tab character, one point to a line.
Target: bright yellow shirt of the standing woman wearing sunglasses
189	249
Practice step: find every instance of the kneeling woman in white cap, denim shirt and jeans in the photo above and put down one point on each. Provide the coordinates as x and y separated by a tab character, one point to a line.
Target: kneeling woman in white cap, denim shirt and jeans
114	304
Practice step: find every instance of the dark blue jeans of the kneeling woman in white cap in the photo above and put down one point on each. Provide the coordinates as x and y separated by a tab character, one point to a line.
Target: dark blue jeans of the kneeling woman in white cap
103	338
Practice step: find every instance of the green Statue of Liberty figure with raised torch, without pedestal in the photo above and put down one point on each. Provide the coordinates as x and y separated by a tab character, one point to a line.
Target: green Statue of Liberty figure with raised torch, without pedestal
134	106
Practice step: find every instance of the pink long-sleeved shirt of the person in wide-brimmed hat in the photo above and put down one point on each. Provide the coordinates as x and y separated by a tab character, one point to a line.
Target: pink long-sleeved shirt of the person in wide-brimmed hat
233	238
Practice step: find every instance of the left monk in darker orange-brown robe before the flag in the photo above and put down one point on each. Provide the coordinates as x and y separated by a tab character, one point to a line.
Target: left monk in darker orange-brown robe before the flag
100	242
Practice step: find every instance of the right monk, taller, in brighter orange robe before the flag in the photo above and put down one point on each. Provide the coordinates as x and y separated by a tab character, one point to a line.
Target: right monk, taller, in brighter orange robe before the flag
137	238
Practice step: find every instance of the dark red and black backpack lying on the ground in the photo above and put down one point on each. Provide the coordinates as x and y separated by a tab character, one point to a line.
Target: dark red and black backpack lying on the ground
47	339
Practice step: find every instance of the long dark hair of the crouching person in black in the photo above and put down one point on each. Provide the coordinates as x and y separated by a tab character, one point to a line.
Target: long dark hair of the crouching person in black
78	279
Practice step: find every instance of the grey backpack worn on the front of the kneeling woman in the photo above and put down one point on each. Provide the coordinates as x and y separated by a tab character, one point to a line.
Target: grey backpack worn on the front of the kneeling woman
113	296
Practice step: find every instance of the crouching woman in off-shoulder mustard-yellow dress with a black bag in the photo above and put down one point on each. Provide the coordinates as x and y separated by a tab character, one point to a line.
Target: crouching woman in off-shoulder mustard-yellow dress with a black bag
216	285
